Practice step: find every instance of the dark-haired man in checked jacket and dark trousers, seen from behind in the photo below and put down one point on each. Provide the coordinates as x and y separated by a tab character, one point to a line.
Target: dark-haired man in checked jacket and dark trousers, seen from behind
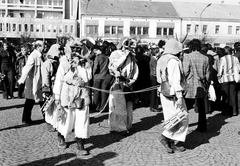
197	72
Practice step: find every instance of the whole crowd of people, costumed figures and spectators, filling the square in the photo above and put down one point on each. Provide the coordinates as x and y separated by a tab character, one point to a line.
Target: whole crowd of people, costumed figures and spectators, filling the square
70	79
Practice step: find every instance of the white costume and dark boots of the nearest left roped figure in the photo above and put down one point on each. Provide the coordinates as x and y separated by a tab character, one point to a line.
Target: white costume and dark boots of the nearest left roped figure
72	117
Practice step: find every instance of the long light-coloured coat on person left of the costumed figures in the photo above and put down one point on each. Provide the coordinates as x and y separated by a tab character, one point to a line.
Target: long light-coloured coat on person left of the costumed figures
31	75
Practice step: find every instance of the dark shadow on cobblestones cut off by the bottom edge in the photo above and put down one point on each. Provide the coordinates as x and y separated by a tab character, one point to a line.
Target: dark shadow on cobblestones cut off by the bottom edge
73	160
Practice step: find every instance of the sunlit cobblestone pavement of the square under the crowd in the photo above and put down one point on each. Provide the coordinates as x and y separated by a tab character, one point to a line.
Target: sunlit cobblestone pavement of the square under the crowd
35	146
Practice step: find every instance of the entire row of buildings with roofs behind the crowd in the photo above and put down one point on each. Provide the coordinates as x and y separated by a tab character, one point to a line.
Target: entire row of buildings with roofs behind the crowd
146	20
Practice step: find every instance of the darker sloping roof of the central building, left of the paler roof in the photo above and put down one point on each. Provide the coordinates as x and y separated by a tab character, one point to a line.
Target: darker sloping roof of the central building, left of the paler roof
128	8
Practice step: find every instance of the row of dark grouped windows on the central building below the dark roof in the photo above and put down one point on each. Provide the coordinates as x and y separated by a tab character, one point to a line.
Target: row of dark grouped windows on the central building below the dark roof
118	30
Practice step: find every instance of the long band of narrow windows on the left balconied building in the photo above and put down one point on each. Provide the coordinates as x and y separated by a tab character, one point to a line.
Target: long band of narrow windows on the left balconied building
38	28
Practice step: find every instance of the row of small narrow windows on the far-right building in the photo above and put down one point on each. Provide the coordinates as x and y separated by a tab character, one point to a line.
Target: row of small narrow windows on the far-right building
216	30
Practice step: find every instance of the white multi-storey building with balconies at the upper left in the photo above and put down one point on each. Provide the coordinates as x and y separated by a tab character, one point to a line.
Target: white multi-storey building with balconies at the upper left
37	19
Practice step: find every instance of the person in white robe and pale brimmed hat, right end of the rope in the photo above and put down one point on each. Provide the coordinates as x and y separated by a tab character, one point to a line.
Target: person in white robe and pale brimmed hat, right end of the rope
169	68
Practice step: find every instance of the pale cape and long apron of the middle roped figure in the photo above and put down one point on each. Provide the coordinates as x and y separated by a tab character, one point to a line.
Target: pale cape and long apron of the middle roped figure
123	66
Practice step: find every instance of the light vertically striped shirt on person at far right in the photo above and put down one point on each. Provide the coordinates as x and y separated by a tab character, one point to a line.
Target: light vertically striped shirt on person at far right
226	68
